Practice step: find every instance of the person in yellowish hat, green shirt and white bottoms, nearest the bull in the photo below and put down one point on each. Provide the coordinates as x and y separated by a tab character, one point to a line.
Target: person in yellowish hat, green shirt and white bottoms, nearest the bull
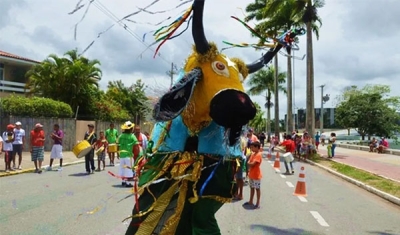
126	142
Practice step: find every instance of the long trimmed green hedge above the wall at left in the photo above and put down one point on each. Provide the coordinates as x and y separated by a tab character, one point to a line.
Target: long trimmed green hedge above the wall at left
35	107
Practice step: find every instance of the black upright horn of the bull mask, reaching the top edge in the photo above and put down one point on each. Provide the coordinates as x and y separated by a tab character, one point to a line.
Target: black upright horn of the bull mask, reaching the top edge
199	37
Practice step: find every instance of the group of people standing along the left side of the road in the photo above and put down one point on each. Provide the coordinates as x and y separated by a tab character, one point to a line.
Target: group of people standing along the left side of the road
132	144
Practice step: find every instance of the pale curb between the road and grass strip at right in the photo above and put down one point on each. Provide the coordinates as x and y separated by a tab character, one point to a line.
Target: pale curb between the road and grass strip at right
370	189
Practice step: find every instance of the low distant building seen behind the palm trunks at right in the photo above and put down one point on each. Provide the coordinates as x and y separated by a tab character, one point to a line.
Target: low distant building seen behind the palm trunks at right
329	118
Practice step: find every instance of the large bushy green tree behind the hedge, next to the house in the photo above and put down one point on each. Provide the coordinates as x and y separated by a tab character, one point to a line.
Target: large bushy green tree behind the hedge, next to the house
72	79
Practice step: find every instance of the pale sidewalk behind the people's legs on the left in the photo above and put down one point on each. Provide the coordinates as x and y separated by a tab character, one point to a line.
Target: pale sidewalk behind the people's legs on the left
28	166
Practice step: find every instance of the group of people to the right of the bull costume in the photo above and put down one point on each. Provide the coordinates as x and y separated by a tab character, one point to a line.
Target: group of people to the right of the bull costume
294	145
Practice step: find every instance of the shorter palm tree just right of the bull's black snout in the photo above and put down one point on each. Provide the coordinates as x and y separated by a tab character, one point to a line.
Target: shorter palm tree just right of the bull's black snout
264	81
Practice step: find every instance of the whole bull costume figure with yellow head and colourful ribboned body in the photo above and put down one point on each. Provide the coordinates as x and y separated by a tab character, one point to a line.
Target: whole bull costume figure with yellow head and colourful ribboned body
192	155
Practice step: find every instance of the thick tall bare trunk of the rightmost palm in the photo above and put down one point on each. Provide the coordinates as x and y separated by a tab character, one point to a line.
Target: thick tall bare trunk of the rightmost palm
310	113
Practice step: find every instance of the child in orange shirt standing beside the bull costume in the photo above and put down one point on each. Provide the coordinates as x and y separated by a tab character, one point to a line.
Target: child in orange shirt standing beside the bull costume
255	175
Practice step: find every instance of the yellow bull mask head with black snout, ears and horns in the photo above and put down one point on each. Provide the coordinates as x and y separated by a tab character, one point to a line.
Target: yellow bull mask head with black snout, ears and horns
211	89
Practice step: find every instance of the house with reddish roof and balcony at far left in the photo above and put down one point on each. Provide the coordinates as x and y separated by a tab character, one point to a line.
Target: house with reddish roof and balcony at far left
12	73
